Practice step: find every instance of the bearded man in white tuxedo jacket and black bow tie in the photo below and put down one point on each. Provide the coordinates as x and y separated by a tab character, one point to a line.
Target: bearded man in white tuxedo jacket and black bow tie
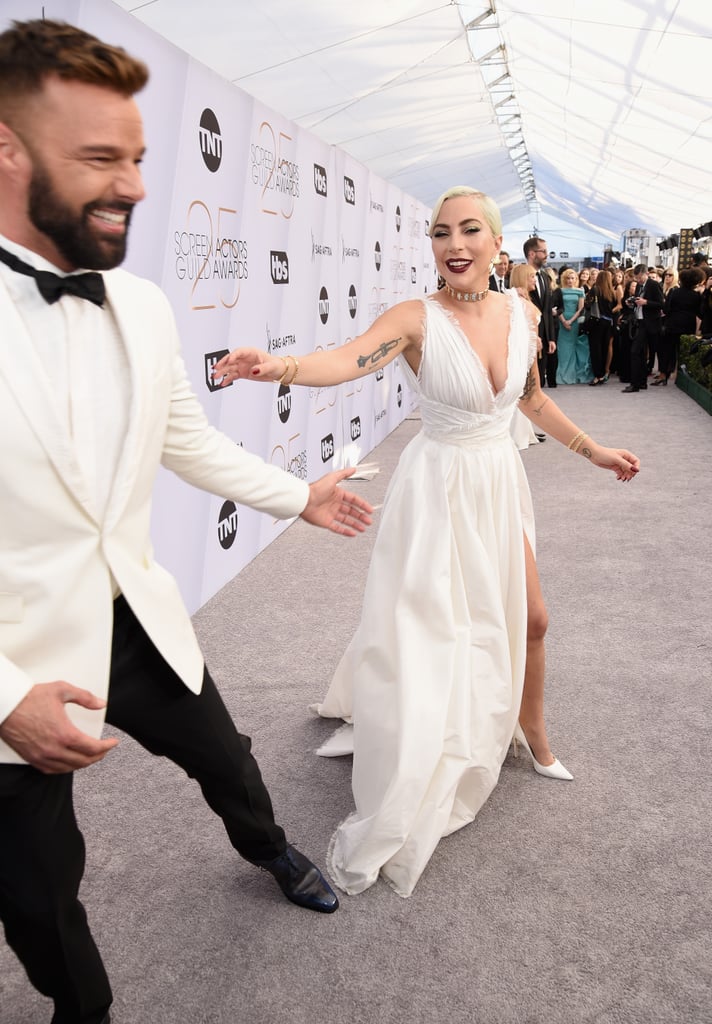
90	624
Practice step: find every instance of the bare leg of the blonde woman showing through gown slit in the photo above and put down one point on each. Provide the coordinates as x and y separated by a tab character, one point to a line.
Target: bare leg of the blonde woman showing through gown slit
532	711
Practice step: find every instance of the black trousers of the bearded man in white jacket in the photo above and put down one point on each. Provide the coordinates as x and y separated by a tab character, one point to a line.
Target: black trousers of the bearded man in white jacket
43	849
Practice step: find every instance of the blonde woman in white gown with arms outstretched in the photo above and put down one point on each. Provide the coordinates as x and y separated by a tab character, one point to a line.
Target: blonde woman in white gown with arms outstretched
453	617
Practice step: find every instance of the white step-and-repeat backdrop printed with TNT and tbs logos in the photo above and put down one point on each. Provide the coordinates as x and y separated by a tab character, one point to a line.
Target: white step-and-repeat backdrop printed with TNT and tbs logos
261	235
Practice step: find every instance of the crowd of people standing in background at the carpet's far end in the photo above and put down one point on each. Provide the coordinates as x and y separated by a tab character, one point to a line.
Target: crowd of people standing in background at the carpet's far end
596	323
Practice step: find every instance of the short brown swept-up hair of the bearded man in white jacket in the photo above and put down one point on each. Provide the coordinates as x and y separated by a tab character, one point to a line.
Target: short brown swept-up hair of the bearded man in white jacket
33	52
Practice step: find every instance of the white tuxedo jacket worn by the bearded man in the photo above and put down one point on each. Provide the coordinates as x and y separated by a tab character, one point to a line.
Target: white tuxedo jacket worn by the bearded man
57	561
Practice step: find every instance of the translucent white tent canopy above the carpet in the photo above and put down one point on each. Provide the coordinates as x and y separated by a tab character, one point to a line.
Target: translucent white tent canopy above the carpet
590	118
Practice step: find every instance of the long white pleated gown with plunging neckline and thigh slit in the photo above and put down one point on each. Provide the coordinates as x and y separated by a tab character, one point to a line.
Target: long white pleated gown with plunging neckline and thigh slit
433	679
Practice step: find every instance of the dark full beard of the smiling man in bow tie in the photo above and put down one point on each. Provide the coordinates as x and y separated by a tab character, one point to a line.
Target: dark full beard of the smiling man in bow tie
71	234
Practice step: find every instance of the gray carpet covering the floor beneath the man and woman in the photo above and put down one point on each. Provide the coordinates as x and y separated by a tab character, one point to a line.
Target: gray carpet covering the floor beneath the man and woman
563	904
